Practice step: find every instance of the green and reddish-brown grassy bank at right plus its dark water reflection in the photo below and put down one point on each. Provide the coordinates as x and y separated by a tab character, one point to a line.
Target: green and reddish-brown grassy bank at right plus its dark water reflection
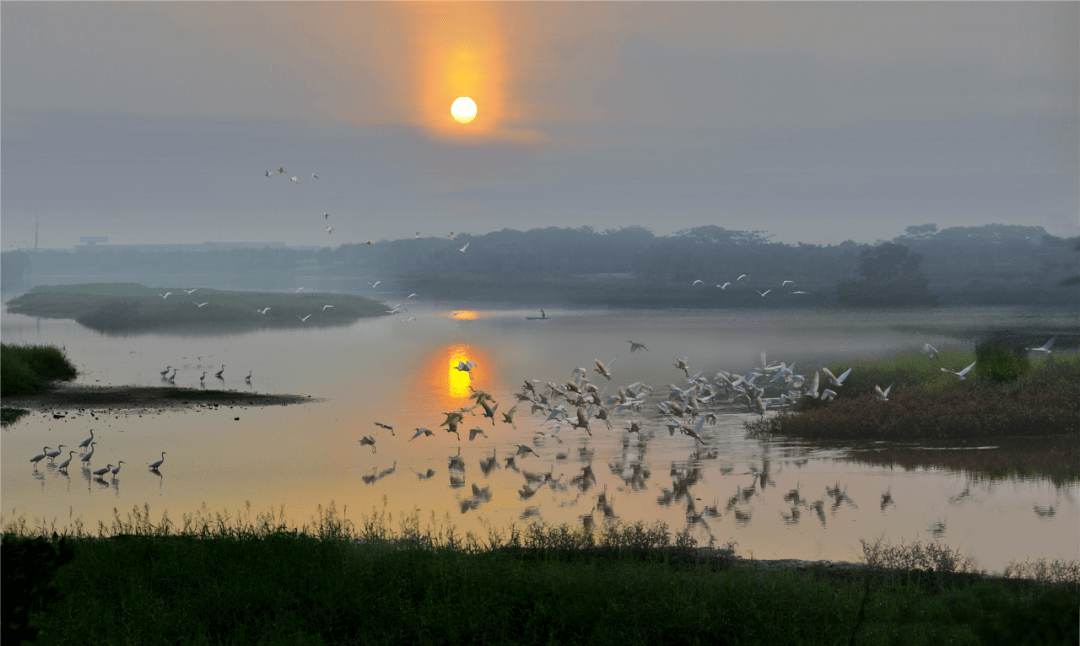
1014	415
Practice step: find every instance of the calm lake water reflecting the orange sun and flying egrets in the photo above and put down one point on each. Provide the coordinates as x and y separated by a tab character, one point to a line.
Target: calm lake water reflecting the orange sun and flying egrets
399	372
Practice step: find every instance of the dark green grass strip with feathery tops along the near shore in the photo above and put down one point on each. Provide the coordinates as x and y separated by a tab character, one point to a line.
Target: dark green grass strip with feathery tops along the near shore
225	581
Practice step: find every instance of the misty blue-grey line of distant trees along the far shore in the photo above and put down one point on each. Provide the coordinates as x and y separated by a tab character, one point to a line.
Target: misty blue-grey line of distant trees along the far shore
989	264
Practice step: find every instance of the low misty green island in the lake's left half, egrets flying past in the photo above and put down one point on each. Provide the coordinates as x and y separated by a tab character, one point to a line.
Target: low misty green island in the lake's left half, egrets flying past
128	307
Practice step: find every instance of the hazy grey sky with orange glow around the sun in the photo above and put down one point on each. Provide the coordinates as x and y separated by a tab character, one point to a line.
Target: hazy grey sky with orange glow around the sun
815	123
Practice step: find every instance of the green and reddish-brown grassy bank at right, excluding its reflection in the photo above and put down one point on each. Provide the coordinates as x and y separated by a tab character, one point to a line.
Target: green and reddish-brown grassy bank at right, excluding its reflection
1043	399
